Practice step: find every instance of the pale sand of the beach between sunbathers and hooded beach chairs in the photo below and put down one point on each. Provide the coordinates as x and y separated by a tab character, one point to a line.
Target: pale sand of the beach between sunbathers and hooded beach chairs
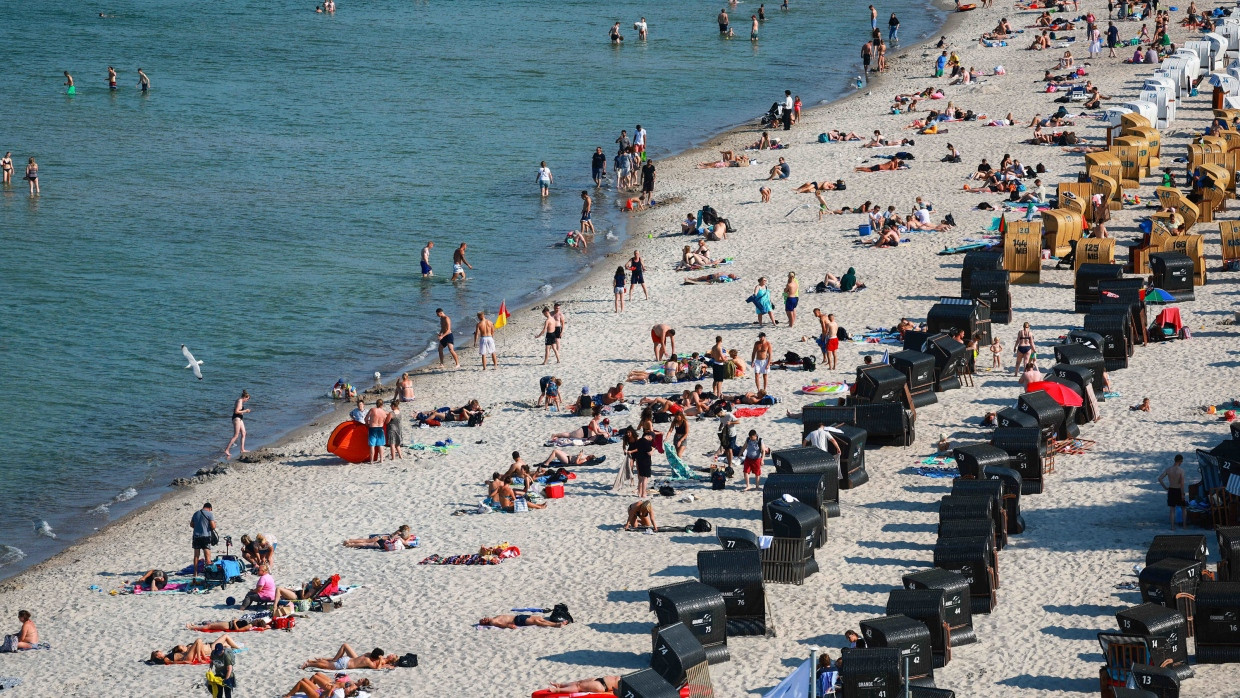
1060	578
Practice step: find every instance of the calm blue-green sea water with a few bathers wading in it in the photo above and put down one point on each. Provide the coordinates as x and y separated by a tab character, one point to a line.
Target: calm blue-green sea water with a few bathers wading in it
266	203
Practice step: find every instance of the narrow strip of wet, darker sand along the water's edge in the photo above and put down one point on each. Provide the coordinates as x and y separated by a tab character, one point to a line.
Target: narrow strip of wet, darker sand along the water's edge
627	236
